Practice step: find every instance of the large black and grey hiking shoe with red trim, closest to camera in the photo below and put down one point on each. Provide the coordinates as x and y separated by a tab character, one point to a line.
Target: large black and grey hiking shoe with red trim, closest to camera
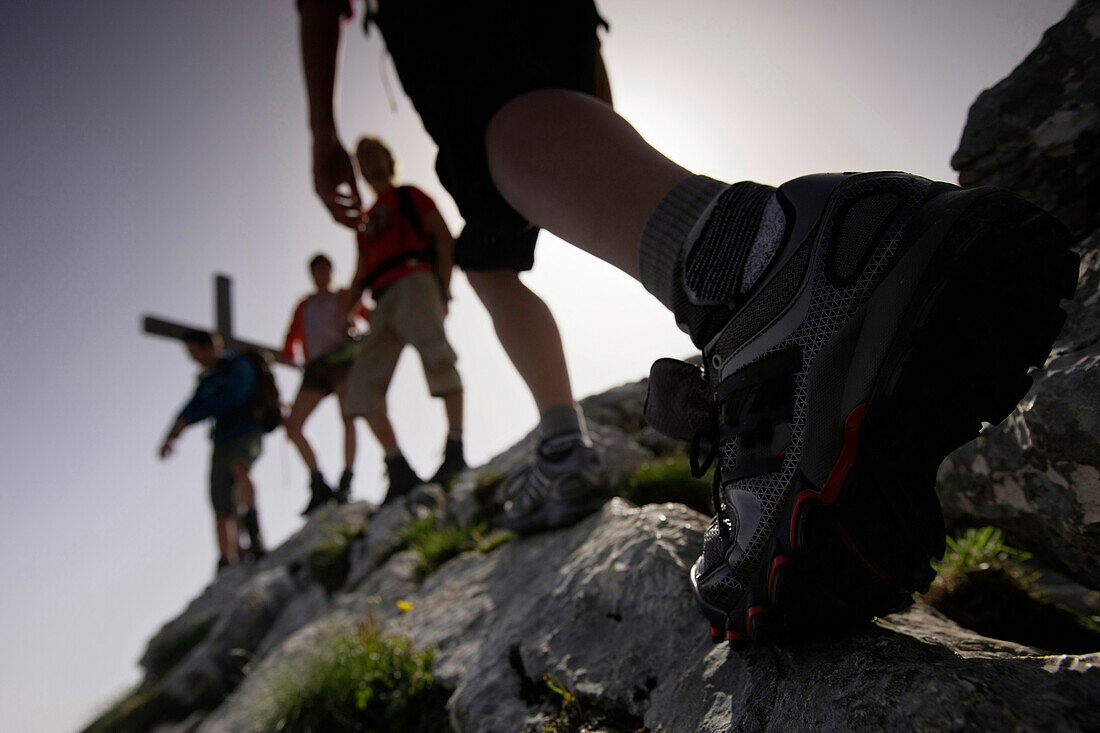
898	316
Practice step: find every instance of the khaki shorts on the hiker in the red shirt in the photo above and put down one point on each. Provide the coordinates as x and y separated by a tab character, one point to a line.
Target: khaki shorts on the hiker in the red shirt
411	313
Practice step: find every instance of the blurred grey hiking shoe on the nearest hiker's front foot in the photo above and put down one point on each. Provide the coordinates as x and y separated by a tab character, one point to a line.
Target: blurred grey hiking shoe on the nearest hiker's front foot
567	483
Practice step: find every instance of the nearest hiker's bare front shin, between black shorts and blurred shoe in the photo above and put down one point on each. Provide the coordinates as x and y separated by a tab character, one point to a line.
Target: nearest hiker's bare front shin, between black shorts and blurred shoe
527	332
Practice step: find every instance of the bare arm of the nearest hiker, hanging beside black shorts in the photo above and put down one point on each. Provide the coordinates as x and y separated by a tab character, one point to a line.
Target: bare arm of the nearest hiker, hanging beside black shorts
334	177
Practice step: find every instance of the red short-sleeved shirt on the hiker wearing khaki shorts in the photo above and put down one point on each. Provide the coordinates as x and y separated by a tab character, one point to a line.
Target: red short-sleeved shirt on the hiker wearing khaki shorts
388	237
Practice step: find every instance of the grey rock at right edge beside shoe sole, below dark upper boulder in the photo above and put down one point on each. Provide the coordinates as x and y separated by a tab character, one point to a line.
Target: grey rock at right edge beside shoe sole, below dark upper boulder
1038	474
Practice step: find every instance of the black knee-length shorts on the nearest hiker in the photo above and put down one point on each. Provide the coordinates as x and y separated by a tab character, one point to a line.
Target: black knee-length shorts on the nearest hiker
460	63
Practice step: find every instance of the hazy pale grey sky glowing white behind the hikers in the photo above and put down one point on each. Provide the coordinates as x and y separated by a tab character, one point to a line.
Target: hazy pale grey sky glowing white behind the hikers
148	146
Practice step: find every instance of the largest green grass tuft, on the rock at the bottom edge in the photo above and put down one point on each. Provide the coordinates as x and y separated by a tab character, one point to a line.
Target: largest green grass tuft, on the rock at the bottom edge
357	680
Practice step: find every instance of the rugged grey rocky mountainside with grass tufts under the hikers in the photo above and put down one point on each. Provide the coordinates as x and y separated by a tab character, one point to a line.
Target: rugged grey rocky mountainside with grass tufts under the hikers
593	628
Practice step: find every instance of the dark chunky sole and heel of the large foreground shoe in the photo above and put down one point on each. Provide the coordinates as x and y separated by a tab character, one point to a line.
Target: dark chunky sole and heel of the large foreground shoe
984	311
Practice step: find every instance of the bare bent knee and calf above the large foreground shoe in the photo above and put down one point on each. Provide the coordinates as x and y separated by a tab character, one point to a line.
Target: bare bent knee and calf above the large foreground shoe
571	166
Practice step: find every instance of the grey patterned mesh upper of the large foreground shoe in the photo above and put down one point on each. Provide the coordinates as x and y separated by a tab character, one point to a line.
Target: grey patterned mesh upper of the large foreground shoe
811	276
